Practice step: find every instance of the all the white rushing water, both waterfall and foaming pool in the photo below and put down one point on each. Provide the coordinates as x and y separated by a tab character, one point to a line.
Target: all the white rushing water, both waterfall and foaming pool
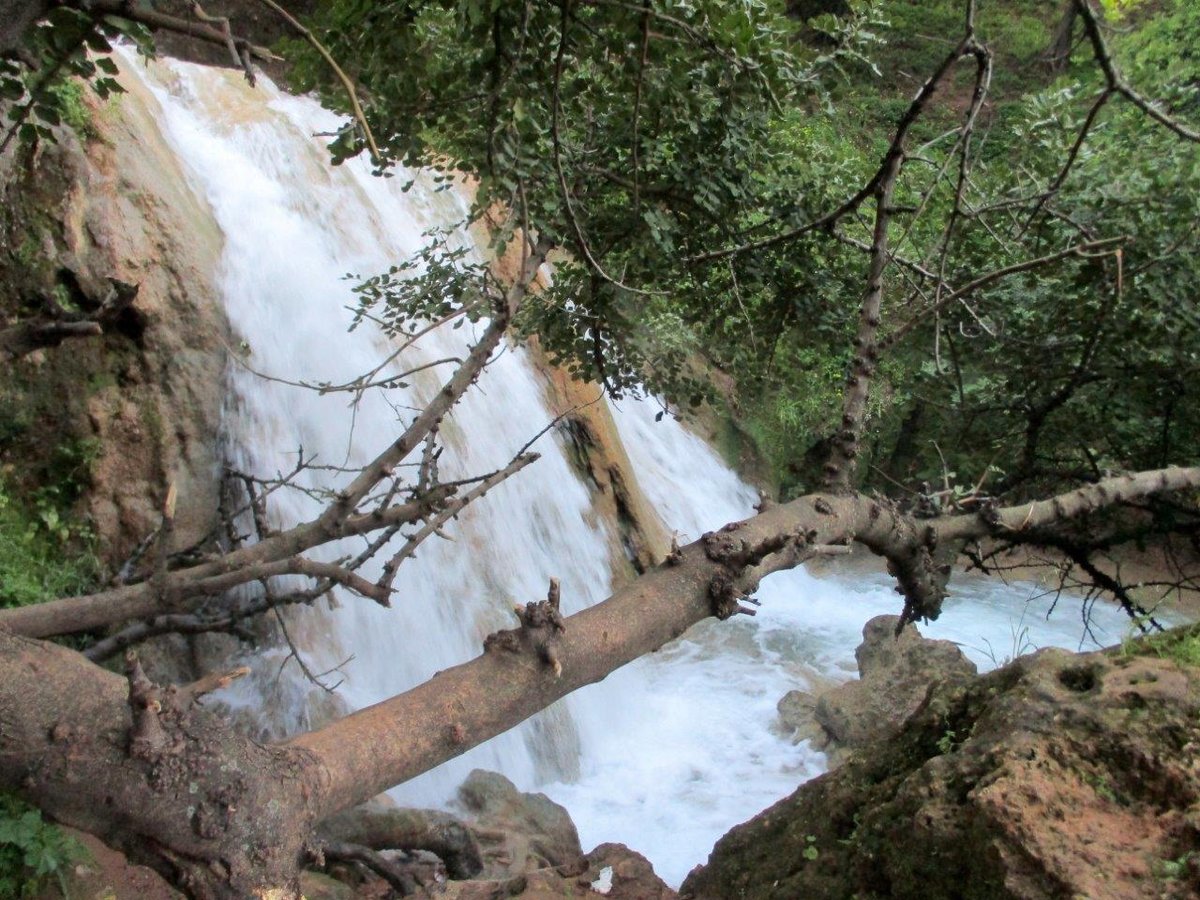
667	754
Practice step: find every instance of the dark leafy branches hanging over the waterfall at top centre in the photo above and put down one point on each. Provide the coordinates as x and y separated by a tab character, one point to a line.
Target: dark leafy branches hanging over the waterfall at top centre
632	135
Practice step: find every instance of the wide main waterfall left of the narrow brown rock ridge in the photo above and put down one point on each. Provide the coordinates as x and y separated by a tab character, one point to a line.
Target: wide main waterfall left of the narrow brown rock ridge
295	227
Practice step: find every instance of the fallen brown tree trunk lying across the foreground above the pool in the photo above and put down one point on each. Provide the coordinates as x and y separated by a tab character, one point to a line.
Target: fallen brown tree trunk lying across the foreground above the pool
160	778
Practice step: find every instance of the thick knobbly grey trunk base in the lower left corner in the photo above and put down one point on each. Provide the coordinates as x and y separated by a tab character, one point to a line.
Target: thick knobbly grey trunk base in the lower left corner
153	775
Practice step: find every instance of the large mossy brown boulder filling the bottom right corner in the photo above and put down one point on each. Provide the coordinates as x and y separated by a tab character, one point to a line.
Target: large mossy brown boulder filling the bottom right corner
1059	776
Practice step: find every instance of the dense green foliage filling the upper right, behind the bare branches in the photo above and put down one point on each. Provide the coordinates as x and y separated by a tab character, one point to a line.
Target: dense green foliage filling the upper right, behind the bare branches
647	139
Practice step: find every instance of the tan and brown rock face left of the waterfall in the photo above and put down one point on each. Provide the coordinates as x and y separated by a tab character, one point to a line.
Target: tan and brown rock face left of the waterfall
146	397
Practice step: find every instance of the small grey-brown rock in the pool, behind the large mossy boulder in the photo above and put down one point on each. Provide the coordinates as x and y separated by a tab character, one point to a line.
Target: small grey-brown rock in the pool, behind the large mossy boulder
896	674
